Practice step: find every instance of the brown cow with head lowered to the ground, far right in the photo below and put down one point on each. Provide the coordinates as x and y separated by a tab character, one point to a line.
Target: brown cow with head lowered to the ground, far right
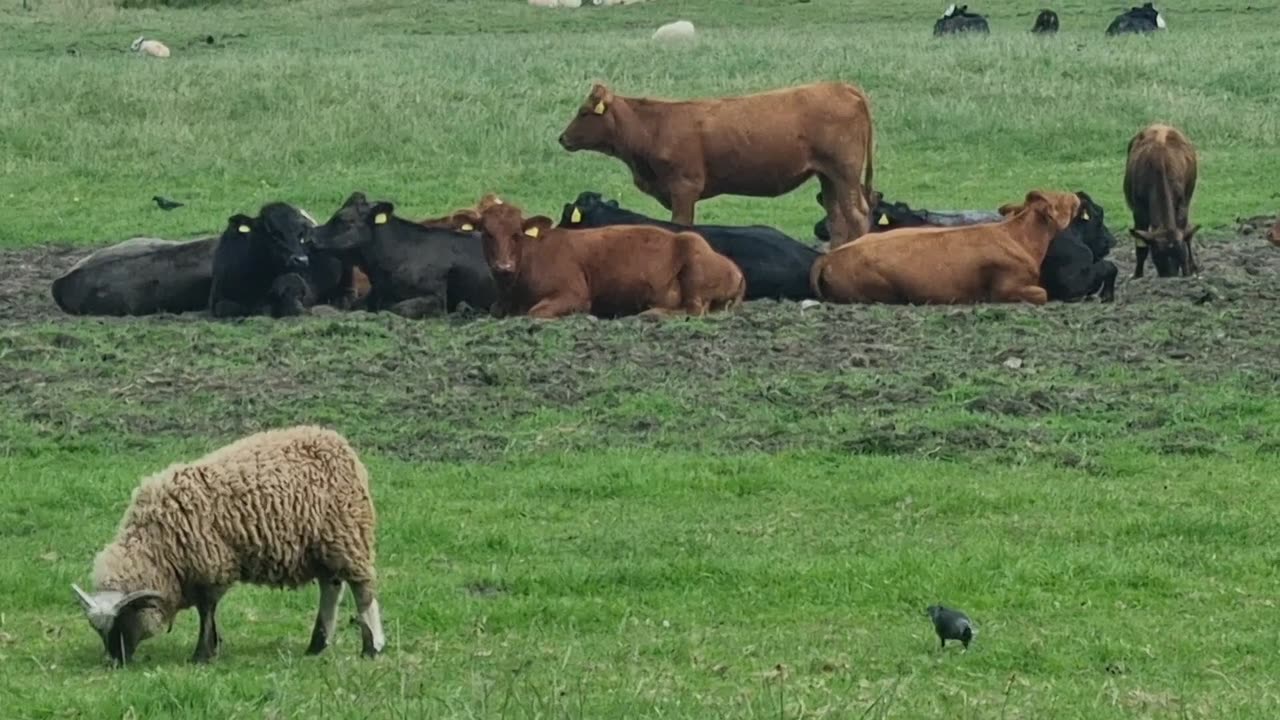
1159	184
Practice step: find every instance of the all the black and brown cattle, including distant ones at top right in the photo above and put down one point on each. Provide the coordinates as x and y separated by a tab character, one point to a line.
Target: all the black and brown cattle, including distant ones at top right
609	262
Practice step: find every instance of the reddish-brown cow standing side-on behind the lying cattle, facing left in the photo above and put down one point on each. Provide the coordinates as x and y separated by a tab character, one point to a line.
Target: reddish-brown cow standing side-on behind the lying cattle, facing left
760	145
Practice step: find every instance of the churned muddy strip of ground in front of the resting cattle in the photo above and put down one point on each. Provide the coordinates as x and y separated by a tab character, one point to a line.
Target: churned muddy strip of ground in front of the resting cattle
1180	366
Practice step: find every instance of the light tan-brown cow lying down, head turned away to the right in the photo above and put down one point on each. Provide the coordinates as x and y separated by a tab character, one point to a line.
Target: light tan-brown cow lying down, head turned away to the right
989	263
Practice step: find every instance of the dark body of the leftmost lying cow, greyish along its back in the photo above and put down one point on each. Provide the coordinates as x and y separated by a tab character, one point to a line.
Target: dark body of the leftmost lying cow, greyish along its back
141	276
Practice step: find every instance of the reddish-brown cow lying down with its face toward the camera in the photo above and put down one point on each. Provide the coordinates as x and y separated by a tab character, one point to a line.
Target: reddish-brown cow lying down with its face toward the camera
609	272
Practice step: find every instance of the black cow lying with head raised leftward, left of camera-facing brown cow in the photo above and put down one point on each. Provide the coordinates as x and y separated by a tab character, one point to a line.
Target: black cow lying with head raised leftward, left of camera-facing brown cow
413	271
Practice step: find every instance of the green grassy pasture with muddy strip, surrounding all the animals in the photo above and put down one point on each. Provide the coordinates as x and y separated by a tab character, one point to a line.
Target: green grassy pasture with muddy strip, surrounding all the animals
738	517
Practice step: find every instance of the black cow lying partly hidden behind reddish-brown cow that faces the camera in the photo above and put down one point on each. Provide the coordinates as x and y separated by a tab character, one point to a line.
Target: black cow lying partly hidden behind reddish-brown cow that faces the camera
774	265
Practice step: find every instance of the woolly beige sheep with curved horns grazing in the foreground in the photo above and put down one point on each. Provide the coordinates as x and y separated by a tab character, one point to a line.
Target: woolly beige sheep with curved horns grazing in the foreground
280	508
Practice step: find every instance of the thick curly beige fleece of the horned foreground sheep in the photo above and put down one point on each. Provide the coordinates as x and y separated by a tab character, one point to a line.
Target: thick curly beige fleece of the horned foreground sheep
276	508
